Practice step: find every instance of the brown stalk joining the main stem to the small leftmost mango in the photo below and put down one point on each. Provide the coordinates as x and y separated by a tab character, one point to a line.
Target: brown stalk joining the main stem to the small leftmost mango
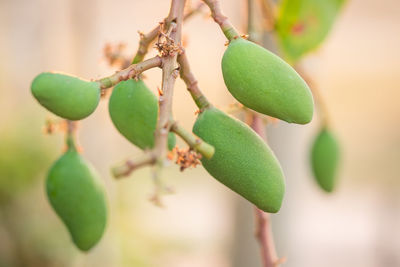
130	72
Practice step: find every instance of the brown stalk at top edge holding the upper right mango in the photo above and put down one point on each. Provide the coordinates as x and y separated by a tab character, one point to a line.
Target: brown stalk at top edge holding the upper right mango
226	26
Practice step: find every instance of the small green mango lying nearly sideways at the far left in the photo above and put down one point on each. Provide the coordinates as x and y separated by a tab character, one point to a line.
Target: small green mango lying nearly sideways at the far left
66	96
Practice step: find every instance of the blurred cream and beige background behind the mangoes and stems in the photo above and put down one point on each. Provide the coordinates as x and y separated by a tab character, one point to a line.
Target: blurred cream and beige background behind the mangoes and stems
203	223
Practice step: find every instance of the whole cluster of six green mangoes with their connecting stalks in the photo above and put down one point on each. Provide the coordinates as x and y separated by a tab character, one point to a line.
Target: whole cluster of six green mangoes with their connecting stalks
232	152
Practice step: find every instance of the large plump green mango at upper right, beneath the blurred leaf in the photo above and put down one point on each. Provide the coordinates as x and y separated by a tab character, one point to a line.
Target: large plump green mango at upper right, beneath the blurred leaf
265	83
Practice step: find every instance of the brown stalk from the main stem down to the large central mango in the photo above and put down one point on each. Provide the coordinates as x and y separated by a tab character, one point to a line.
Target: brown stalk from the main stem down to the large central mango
191	82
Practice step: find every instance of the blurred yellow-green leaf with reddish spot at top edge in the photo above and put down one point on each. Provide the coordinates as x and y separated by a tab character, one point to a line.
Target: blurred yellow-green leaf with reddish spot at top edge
302	25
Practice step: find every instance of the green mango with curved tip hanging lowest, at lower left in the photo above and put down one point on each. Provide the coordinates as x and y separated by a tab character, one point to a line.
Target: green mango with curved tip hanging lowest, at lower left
77	195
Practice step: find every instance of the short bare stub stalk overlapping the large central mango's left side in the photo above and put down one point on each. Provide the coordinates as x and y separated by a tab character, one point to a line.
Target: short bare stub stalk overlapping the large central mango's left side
198	145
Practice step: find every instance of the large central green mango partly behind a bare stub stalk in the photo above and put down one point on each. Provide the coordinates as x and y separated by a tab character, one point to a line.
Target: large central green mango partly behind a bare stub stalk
242	160
